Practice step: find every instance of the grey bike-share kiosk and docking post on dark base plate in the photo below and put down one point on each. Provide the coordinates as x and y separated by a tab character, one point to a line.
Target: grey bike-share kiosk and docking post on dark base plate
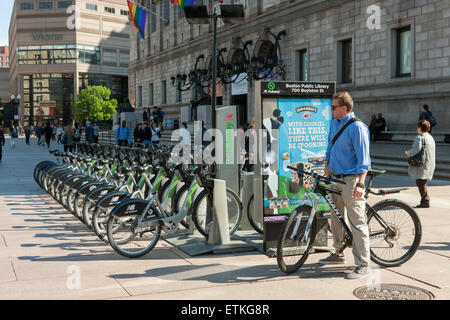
219	240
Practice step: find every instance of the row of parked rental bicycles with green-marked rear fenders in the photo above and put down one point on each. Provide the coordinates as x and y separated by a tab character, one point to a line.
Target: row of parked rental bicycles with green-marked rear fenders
128	195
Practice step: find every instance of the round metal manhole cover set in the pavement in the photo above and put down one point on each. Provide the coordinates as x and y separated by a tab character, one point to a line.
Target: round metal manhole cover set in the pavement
392	292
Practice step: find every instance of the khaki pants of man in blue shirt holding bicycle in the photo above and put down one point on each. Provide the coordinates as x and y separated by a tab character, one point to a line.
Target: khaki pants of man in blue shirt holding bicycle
353	211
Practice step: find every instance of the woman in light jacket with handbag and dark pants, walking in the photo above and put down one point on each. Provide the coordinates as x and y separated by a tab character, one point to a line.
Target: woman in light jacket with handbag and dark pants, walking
422	161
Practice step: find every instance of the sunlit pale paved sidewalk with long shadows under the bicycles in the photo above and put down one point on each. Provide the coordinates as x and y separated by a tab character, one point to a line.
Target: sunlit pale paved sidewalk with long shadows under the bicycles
43	250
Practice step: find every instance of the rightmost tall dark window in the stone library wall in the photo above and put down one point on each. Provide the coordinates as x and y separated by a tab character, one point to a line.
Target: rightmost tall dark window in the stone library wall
403	52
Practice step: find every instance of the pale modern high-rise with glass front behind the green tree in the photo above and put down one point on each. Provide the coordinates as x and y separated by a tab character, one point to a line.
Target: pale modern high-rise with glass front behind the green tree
59	47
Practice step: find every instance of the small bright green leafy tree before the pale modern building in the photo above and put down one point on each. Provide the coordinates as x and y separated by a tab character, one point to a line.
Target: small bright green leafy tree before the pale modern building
94	103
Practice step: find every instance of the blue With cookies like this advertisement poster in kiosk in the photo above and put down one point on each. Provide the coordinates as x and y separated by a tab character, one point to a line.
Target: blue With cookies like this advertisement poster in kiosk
302	132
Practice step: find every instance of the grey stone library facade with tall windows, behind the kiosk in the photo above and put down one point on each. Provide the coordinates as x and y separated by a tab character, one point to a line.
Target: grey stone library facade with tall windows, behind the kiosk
391	55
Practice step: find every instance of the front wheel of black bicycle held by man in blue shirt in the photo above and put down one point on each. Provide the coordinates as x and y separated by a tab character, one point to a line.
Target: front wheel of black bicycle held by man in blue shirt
293	247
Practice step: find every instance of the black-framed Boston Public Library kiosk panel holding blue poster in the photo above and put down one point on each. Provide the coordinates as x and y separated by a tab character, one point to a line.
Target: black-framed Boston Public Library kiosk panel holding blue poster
294	119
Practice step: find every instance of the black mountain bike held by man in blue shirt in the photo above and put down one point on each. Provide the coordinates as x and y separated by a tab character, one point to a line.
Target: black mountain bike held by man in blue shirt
395	230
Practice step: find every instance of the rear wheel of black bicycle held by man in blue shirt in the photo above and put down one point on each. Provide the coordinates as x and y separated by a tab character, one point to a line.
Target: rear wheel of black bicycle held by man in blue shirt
387	248
